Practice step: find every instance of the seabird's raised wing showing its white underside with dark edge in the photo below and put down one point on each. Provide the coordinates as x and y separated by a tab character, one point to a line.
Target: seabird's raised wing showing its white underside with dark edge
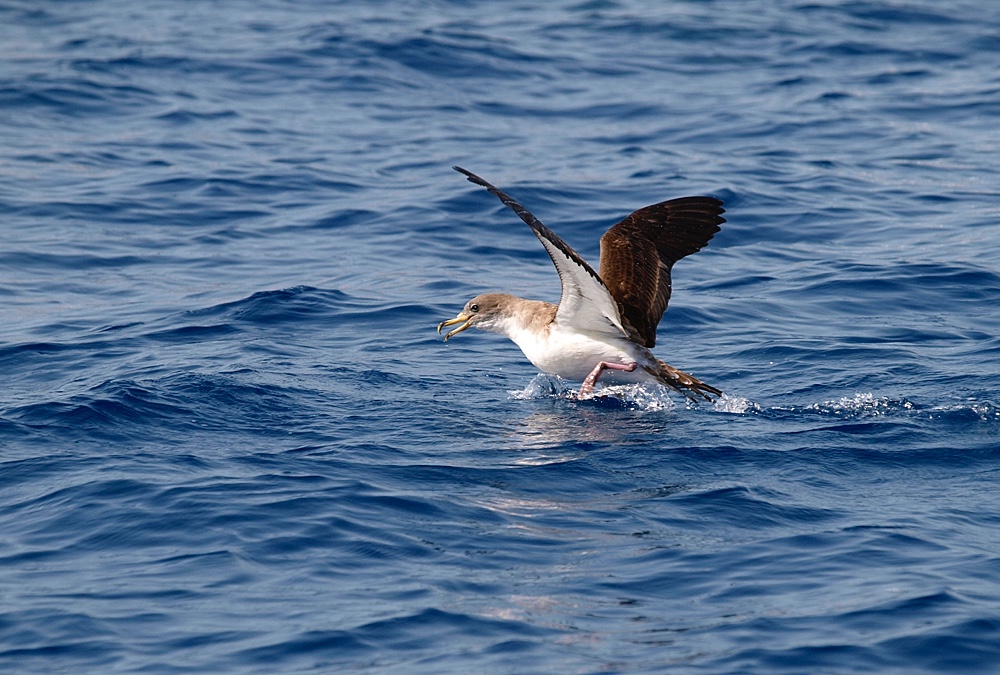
586	304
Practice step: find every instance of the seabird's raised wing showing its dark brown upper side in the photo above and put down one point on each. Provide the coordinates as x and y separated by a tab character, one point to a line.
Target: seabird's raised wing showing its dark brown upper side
638	252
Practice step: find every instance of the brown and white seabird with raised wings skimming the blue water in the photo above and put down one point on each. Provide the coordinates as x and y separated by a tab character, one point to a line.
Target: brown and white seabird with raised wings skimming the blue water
604	321
